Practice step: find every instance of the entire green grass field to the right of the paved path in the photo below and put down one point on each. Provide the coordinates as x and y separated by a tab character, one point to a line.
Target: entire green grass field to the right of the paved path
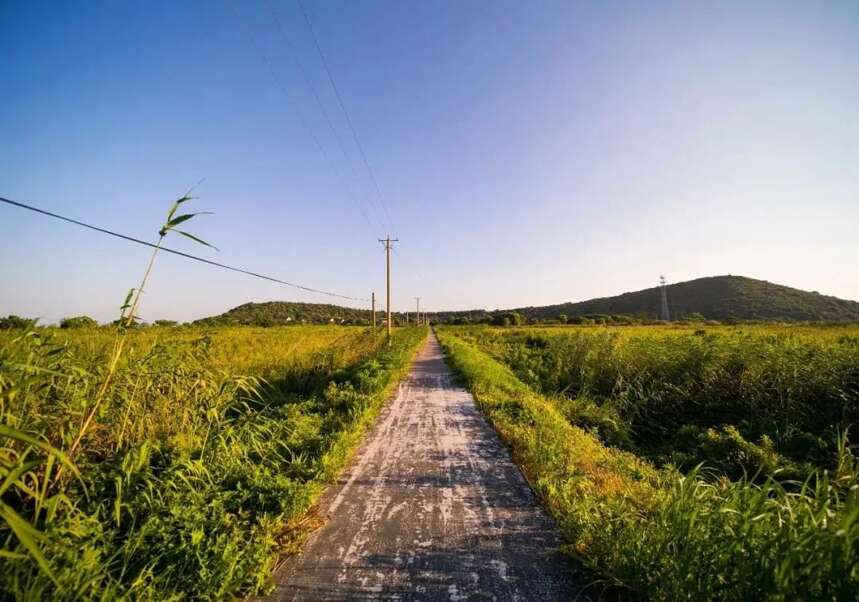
611	424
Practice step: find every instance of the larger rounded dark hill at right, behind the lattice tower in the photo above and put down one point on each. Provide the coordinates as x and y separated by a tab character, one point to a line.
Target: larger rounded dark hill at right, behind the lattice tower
714	298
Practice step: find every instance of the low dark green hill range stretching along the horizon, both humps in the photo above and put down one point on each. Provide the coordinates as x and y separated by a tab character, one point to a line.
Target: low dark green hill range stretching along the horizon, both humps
724	298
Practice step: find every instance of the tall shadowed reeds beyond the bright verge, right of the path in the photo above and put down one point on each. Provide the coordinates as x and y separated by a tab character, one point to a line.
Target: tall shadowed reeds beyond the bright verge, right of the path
744	399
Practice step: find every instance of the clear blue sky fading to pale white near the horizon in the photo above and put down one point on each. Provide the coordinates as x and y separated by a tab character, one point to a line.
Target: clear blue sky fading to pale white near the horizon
528	153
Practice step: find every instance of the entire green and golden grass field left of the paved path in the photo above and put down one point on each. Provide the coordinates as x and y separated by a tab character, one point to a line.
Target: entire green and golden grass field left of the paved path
201	465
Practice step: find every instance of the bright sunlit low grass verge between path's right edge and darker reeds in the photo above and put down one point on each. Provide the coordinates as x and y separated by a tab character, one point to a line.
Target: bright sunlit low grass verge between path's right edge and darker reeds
659	534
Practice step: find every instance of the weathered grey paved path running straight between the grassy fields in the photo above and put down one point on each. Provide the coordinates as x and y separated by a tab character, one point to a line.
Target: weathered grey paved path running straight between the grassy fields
433	508
